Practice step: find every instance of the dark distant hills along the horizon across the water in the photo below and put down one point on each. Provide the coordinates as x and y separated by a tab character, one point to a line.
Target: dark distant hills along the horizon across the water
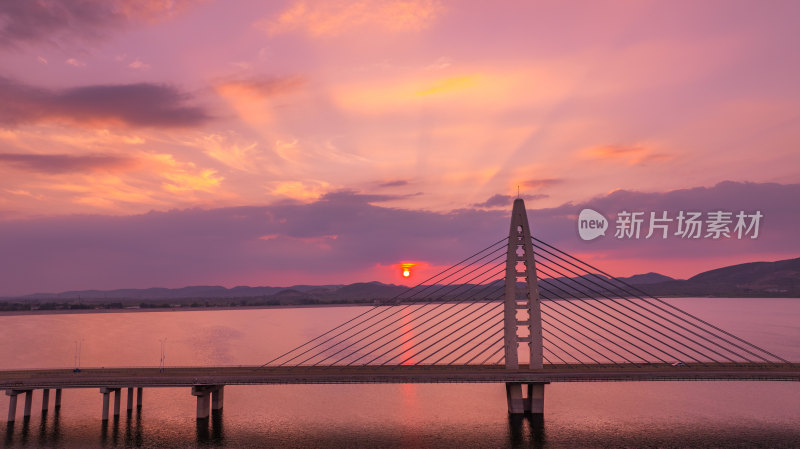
781	278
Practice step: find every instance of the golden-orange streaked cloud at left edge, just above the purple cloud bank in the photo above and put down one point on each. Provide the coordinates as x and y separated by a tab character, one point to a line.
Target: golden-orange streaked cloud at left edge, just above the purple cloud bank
118	182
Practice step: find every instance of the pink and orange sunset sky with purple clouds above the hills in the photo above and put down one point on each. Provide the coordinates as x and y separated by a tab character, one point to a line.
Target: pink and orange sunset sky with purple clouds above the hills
171	143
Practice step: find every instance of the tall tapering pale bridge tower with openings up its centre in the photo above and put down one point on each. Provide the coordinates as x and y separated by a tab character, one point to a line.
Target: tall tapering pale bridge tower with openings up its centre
523	319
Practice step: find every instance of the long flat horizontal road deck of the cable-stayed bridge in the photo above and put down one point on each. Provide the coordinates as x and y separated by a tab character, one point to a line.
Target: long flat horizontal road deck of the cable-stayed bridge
253	375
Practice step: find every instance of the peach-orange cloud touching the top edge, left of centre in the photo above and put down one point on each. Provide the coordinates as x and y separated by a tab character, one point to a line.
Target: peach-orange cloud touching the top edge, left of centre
325	18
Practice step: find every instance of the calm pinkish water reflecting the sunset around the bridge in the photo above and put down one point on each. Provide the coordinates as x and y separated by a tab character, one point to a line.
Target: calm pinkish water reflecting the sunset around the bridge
645	414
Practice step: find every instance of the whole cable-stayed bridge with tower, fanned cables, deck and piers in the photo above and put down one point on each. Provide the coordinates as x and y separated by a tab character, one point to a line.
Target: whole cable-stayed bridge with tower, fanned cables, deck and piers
519	312
